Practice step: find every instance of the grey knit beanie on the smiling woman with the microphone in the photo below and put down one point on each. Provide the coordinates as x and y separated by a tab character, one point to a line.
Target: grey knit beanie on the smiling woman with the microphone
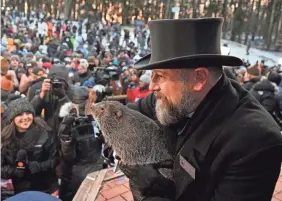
19	106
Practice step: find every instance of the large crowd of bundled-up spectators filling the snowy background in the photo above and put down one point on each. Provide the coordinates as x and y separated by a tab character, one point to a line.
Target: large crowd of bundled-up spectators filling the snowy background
52	71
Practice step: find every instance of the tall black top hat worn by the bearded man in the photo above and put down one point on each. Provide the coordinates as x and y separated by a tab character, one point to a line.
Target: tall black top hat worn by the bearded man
186	43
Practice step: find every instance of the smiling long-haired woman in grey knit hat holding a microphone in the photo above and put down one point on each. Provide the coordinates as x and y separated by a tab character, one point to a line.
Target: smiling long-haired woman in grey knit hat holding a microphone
28	139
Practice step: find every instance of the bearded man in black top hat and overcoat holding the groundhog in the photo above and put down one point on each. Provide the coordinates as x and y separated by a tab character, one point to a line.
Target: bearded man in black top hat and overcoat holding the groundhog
226	147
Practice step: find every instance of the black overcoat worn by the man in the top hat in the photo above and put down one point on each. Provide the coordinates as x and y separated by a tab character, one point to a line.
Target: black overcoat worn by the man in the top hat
230	150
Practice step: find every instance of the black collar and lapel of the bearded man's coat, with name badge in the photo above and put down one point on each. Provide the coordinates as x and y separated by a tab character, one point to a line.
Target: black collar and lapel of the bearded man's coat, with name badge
195	141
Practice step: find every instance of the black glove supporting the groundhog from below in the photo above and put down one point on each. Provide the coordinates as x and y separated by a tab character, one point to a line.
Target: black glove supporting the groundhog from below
147	181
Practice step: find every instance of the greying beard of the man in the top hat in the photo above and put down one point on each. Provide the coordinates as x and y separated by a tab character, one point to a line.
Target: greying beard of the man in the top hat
168	113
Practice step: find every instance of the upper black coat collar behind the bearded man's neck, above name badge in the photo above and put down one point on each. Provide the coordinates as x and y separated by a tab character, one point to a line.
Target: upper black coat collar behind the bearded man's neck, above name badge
211	115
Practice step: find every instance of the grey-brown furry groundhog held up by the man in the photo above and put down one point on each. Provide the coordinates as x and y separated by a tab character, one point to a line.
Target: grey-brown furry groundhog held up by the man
135	138
